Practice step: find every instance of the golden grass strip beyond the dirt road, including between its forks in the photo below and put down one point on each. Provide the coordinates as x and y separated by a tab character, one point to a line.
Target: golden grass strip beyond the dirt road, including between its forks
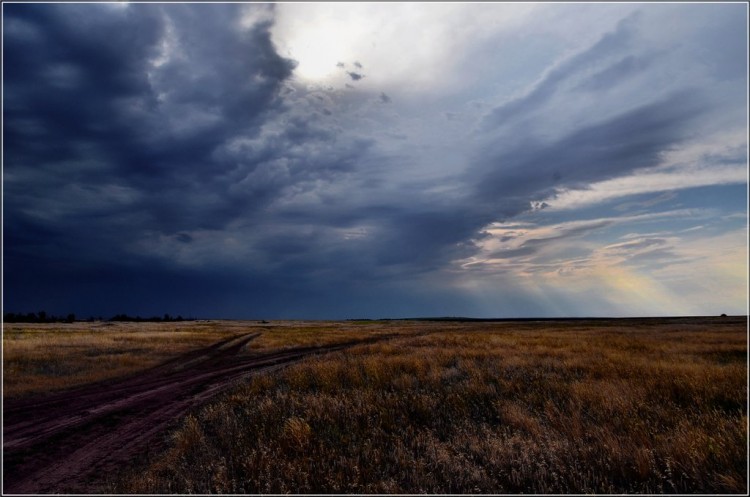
45	357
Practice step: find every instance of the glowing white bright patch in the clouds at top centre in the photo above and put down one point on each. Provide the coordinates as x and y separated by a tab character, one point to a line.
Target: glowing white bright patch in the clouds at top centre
394	44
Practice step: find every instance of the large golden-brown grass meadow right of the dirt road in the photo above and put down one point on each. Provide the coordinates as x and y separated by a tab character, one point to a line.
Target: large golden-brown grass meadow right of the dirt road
644	406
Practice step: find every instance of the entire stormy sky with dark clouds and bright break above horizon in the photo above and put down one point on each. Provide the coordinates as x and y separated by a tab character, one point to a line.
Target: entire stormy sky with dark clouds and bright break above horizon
375	160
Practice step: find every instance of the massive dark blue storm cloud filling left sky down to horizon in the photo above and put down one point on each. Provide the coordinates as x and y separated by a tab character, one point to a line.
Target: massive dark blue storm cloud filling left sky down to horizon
183	164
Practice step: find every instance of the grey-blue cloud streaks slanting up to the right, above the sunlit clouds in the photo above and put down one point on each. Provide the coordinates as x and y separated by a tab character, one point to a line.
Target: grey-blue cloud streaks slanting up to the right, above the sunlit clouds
520	166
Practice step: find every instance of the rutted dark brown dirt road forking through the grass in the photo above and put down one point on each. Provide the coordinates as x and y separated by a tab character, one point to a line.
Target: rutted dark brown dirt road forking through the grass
72	441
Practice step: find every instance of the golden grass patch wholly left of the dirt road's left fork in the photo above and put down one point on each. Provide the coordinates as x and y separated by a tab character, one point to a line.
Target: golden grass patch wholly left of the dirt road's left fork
44	357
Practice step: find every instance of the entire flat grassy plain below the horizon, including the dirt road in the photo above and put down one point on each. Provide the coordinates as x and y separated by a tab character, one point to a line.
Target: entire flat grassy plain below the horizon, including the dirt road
571	406
